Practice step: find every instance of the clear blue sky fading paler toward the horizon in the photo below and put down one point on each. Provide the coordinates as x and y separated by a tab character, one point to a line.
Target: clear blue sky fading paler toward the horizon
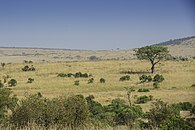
94	24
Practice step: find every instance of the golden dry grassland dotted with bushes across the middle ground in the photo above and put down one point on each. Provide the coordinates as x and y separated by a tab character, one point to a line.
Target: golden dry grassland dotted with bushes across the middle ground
179	76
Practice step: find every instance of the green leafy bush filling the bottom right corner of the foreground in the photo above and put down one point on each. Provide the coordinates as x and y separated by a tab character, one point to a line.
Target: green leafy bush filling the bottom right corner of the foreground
166	116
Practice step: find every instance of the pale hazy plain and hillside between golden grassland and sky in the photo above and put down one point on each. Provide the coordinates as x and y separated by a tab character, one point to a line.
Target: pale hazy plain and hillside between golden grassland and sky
184	47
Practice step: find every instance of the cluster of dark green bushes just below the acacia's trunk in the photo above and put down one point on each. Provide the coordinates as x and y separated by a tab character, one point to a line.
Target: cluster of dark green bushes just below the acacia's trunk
157	79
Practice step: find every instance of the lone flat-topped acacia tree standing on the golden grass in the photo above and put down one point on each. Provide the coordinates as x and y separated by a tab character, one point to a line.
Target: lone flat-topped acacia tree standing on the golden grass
152	53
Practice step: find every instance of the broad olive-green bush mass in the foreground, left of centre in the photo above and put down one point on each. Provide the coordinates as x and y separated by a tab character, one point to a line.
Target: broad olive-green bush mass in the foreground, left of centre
67	112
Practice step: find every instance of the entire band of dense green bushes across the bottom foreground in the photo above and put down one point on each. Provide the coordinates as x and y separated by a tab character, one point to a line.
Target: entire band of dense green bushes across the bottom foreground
79	112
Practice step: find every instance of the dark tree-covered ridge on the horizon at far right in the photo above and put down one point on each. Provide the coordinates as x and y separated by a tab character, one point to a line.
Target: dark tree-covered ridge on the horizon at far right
174	41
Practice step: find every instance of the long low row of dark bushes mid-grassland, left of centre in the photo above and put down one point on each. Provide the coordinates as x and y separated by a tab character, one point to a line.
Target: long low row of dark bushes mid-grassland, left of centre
76	75
